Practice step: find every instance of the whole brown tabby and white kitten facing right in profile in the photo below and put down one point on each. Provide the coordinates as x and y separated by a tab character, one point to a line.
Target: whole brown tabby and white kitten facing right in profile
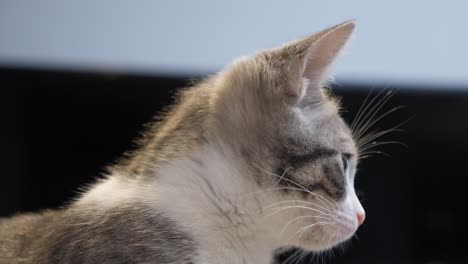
253	159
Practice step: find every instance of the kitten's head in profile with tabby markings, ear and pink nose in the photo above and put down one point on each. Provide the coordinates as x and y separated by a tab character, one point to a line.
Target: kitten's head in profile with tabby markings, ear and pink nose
276	114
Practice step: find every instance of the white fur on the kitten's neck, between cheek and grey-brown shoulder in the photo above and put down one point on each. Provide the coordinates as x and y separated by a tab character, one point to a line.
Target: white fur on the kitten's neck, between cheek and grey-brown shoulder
221	207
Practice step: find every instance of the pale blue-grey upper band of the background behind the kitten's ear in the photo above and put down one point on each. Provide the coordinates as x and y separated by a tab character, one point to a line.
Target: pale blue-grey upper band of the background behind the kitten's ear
411	42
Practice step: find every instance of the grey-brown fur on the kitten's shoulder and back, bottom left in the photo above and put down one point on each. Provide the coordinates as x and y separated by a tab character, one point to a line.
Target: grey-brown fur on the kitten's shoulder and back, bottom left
128	234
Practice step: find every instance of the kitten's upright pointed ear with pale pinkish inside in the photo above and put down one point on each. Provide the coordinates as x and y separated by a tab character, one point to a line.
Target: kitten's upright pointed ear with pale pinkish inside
310	61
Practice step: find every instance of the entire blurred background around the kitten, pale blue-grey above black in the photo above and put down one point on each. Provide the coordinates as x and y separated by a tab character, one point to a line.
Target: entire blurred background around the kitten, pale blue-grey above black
79	79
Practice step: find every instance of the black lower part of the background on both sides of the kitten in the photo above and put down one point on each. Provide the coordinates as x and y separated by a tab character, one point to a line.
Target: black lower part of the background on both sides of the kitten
59	130
